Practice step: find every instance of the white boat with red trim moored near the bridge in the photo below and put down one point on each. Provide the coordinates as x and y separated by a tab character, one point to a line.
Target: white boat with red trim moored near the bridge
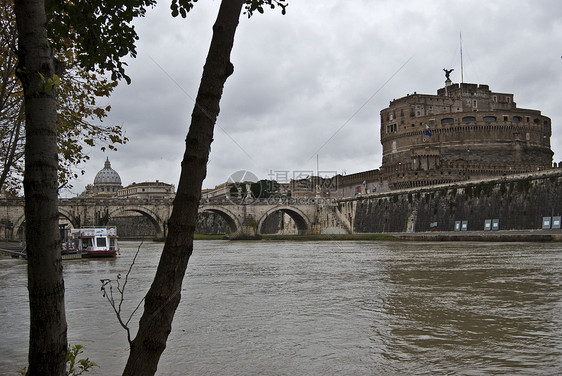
95	241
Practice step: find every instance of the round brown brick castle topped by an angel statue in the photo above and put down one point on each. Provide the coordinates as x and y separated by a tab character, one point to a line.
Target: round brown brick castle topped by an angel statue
465	132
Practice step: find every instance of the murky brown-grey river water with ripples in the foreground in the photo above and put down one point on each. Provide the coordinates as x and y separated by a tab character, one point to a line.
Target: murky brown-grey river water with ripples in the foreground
322	308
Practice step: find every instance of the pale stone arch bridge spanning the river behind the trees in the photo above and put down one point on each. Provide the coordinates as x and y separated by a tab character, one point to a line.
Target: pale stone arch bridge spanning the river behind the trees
311	215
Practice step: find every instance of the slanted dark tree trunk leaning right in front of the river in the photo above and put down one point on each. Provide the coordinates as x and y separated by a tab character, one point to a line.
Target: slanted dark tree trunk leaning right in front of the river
164	294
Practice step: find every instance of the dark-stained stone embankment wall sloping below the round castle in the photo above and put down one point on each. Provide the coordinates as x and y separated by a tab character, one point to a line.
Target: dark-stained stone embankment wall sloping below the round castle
519	202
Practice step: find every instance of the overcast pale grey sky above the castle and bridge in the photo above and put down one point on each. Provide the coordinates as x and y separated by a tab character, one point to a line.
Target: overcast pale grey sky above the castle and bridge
308	87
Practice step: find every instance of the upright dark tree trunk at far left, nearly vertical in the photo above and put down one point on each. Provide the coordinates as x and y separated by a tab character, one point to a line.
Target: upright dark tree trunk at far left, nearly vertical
47	336
